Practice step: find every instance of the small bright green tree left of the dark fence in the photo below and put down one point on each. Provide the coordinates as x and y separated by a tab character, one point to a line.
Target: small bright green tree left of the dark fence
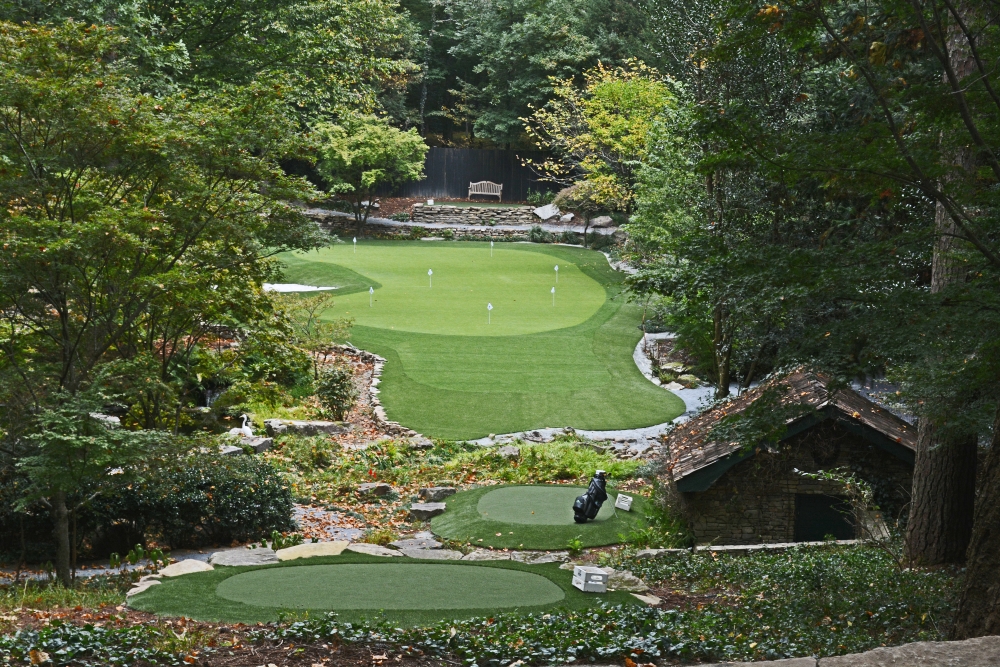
361	153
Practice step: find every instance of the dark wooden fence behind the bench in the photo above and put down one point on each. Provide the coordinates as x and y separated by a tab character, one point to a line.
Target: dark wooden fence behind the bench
450	170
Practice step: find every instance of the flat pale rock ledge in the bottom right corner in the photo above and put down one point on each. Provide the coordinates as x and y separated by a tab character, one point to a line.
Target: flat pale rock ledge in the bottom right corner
978	652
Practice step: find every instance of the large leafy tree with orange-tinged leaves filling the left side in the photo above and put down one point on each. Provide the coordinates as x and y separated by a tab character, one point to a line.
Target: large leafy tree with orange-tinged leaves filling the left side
130	225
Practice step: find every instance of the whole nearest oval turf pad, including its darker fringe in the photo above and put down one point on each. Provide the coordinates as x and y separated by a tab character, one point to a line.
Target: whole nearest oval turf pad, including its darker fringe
411	592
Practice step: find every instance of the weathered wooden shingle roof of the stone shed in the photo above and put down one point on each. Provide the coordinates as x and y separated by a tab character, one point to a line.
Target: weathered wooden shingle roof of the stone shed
689	449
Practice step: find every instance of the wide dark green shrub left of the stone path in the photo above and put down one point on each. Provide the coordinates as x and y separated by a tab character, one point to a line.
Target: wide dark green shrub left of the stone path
198	501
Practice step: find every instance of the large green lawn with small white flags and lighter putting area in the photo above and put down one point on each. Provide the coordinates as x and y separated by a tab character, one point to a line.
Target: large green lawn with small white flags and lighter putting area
452	373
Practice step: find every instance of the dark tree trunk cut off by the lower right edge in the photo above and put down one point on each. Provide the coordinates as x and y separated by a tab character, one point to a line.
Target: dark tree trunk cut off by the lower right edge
978	611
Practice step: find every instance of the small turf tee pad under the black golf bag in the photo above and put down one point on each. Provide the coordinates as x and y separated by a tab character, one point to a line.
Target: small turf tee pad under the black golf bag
532	517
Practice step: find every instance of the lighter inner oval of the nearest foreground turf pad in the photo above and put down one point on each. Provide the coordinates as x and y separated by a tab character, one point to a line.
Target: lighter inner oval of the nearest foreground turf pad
389	586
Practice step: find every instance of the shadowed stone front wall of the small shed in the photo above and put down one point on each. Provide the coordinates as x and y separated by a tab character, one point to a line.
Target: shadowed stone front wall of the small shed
754	501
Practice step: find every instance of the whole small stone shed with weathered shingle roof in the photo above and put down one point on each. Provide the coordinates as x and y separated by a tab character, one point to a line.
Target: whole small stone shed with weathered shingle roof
743	495
